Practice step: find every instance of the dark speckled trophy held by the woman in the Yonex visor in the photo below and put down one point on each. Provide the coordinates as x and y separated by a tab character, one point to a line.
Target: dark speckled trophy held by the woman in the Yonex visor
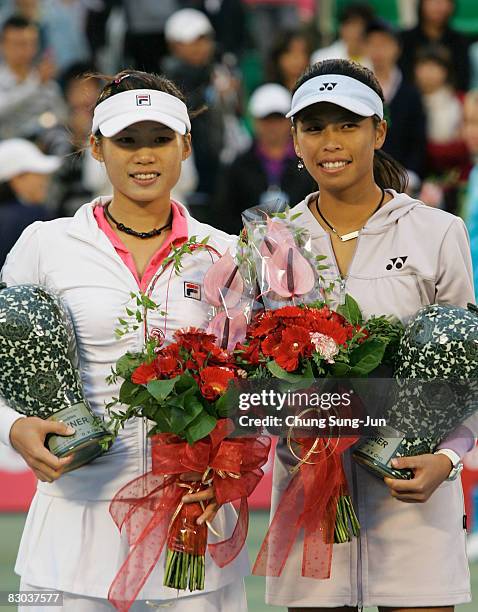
436	387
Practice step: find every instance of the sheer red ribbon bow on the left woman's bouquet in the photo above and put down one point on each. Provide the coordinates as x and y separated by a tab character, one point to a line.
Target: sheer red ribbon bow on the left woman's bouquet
145	506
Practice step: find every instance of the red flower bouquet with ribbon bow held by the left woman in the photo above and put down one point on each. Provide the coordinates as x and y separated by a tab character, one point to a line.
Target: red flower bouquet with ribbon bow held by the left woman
181	388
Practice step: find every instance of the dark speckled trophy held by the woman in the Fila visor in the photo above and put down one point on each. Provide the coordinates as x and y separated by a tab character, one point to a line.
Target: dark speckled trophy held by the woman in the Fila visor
38	369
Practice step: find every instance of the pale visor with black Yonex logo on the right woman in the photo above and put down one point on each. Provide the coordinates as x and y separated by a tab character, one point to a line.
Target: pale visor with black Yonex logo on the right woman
340	90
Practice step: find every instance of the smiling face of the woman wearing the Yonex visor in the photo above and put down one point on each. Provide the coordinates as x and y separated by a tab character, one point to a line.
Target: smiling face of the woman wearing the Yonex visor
336	145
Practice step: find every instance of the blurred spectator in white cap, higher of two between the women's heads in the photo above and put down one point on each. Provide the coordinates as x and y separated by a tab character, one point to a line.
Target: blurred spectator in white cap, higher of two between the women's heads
191	64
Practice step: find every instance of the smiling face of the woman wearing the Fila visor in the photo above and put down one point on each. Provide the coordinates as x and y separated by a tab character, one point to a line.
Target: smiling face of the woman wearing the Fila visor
143	161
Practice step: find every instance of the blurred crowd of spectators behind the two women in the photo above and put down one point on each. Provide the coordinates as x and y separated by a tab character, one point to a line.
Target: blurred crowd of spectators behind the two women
240	58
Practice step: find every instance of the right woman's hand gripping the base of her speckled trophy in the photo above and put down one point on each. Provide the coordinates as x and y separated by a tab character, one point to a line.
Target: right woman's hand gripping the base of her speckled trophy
429	472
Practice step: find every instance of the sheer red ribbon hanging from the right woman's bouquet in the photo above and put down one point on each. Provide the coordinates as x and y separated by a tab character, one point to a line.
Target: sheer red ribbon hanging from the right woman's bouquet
309	502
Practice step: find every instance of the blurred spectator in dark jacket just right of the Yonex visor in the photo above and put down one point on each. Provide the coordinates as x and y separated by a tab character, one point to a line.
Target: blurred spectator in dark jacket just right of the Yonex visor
406	134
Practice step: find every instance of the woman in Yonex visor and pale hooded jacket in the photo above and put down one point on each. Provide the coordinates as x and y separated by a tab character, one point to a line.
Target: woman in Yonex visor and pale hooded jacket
393	255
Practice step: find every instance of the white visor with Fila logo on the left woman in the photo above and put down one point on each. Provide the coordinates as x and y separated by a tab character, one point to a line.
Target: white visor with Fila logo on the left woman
128	107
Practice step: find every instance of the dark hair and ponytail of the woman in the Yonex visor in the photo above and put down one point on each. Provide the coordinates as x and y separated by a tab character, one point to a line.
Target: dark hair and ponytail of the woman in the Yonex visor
387	172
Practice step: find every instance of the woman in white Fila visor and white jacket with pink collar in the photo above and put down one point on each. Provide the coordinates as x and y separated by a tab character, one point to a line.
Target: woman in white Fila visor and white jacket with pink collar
111	247
